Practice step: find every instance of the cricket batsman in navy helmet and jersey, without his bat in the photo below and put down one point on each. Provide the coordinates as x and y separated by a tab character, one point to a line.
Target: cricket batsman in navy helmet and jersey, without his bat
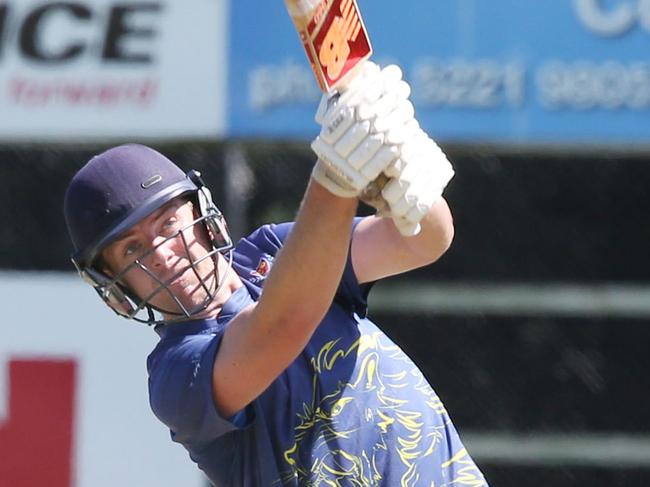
268	370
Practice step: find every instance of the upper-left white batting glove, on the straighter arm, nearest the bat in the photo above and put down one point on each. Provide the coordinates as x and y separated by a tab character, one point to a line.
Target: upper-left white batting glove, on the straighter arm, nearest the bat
351	147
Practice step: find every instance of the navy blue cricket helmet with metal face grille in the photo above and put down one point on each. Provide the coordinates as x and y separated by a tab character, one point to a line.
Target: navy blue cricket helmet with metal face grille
114	191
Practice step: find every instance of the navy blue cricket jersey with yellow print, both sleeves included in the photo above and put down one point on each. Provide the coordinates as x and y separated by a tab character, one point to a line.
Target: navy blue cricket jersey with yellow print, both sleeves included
351	410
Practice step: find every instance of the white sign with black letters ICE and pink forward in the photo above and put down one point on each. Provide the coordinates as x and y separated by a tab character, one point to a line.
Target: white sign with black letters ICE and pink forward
91	69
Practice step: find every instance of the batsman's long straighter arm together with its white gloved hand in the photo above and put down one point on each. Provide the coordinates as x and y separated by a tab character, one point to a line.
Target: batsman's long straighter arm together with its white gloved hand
265	338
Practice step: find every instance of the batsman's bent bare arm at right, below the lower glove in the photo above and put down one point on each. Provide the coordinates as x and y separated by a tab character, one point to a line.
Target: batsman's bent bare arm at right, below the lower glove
379	250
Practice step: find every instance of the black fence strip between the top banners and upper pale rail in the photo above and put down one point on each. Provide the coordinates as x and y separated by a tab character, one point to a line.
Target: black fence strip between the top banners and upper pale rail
536	216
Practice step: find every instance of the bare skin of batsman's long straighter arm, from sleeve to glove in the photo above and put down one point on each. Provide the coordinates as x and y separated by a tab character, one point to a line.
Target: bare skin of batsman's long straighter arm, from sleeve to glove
262	340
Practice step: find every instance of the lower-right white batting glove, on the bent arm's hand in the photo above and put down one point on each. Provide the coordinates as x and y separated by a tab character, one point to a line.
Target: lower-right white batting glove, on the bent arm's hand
417	180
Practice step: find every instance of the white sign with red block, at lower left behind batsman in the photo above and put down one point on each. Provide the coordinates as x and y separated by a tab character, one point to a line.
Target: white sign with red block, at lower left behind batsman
74	408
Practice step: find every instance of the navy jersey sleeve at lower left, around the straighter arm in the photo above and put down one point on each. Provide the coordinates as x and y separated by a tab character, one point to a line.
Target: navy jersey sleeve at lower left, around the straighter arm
180	391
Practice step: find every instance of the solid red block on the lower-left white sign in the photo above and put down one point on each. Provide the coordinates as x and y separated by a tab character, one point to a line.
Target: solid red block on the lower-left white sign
36	442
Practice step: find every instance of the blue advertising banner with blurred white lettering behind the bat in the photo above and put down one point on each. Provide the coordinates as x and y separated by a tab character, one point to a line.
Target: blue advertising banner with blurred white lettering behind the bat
498	71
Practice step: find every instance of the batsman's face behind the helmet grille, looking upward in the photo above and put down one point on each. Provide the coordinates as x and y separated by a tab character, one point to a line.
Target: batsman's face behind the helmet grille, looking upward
165	248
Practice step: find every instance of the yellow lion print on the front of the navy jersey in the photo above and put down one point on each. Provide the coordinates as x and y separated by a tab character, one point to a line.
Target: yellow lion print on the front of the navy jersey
319	457
